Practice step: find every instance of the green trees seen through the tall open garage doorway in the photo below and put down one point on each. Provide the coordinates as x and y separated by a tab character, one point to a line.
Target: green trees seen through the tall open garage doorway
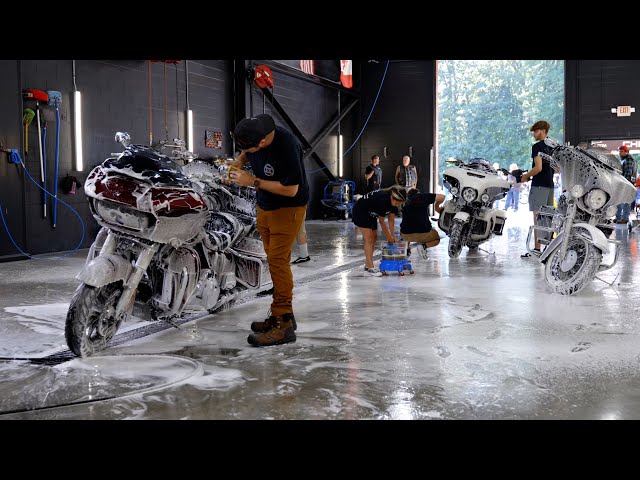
485	108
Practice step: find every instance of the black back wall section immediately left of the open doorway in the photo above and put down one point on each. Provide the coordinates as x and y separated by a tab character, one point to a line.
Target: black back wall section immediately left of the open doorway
403	117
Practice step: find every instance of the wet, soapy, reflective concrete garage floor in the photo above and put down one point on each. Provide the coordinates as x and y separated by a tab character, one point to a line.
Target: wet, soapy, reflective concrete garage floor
479	337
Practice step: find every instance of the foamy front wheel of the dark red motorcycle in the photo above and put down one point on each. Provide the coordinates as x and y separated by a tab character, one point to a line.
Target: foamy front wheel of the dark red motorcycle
91	323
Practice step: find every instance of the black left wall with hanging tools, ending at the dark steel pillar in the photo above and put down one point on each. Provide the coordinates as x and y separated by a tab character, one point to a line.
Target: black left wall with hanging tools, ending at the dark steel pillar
115	97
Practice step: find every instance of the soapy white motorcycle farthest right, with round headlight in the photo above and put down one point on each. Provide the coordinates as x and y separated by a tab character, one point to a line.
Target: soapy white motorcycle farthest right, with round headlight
576	233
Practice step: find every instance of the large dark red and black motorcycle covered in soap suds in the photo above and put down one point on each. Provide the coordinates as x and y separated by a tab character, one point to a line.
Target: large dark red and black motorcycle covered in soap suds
174	240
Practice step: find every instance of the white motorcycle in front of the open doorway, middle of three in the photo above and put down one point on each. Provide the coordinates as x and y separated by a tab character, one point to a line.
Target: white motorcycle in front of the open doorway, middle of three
469	218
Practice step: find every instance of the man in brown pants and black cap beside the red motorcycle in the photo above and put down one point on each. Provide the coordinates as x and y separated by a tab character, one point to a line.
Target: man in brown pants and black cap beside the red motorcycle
282	194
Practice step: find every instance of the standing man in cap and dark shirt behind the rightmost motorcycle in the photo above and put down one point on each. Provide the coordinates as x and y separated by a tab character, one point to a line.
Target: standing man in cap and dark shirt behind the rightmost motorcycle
541	192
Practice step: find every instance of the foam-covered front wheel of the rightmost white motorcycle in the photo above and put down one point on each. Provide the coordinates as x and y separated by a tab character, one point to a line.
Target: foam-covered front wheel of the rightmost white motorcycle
578	268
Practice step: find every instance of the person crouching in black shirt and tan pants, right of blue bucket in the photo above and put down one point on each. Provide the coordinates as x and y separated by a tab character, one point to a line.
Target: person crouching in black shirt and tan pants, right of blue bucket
415	226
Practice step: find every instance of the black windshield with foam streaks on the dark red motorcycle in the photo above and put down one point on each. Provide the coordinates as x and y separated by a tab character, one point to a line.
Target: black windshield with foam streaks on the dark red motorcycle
148	165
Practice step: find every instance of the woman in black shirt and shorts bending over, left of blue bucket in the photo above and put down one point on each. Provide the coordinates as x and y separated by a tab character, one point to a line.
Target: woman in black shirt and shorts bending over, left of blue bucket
372	209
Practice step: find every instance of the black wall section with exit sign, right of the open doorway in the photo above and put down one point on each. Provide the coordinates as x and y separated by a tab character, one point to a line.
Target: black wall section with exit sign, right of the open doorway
594	87
